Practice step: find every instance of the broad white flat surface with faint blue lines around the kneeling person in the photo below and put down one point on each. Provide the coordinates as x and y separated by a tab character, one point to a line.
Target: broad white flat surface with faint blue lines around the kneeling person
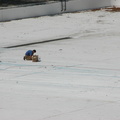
78	79
